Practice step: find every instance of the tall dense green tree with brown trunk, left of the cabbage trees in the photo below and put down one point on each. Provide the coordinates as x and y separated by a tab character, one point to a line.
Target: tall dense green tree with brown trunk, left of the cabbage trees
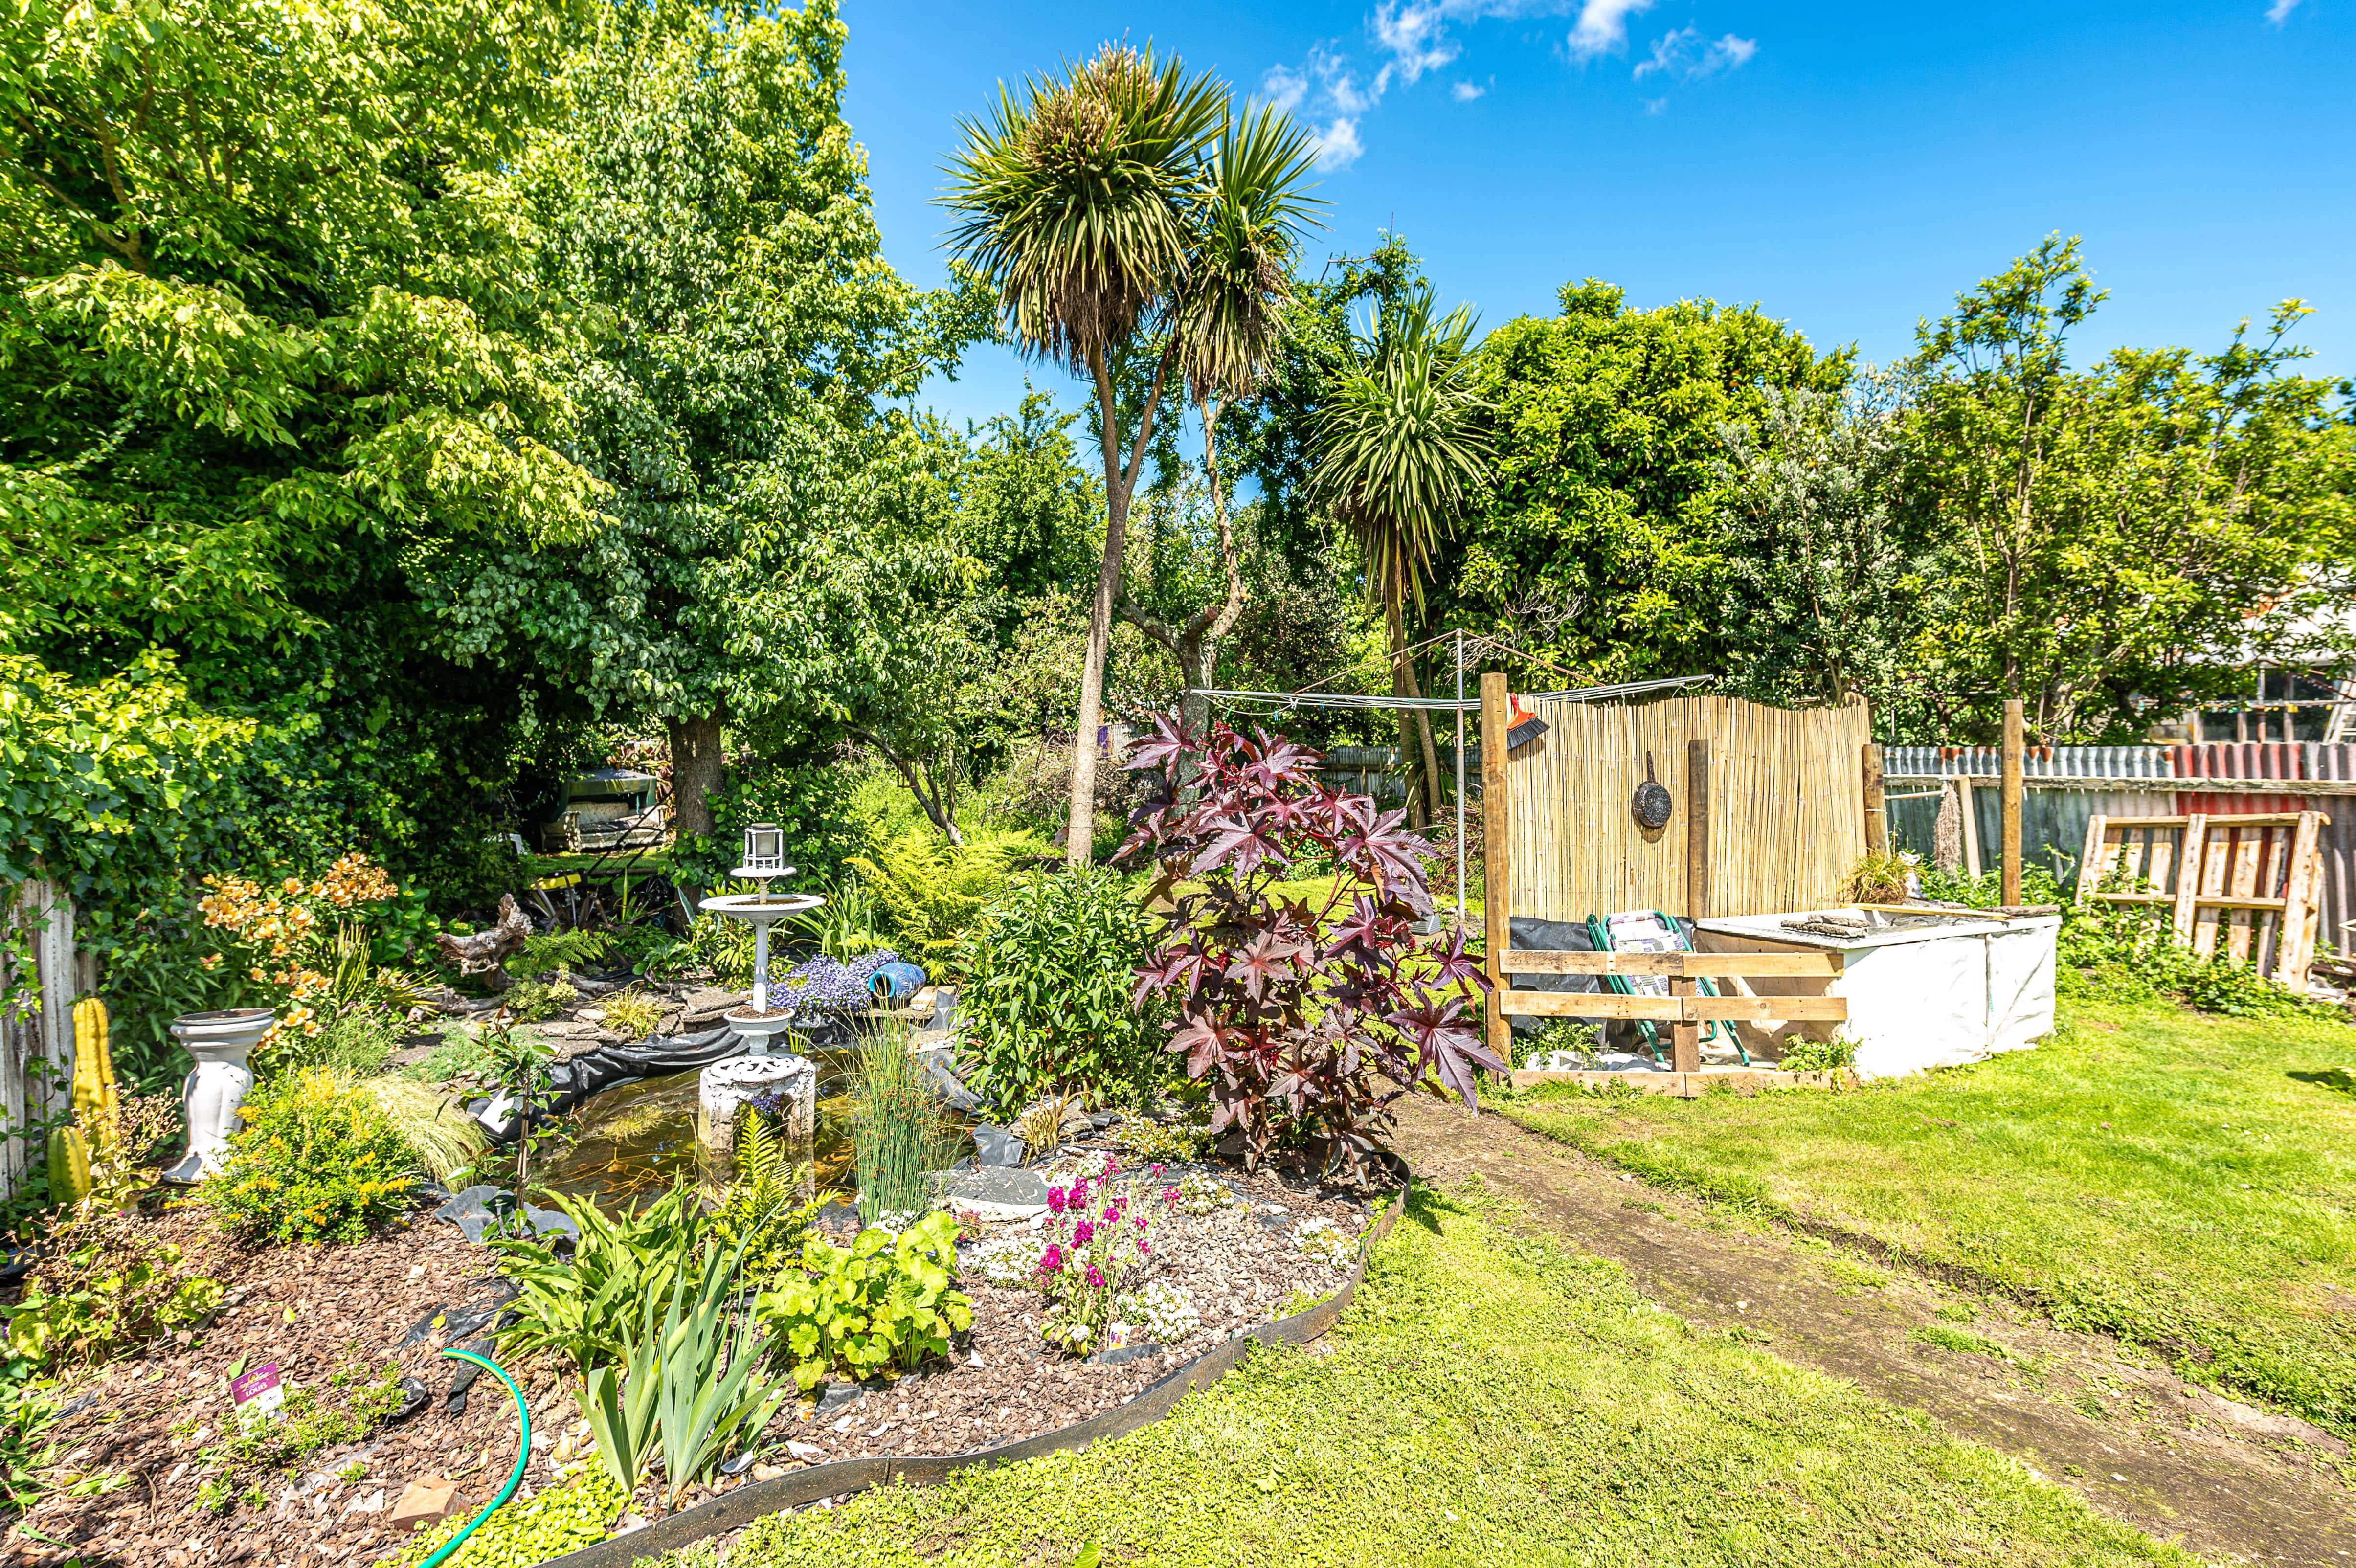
769	533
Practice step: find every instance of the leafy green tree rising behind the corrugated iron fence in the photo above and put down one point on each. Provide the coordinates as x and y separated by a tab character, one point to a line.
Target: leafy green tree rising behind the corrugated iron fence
2124	536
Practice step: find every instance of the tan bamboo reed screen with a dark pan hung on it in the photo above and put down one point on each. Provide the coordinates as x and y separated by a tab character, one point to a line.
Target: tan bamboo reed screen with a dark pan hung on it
1787	806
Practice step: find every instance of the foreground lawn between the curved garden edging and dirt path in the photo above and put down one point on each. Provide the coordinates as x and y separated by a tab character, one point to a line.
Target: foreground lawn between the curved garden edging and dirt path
1490	1402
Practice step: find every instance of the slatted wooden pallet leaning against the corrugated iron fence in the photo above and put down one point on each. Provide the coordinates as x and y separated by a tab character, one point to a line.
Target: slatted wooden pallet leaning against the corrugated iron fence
2244	886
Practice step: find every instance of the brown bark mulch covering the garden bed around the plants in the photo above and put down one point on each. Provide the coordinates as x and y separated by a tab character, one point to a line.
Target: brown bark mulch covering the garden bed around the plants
359	1308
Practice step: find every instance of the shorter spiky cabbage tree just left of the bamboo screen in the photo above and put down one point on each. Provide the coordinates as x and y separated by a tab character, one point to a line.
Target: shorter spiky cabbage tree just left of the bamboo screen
1403	458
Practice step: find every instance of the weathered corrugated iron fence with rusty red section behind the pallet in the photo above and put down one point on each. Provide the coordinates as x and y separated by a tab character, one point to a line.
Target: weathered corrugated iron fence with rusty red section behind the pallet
2067	785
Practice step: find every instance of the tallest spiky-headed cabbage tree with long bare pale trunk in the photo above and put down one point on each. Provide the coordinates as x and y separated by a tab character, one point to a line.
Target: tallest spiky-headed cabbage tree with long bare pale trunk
1094	206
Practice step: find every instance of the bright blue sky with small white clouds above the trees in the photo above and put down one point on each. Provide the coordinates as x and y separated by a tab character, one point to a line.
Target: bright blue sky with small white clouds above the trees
1846	166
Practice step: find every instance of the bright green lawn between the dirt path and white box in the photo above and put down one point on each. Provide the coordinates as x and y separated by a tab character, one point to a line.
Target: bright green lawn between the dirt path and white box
2180	1181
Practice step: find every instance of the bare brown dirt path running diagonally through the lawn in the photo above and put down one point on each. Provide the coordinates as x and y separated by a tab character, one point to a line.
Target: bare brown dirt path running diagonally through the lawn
2133	1440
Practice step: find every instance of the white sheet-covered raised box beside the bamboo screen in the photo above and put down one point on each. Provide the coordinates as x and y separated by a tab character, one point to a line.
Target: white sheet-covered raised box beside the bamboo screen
1919	995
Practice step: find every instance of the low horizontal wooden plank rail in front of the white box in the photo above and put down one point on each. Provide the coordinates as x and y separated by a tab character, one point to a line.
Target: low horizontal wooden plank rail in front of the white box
1683	1009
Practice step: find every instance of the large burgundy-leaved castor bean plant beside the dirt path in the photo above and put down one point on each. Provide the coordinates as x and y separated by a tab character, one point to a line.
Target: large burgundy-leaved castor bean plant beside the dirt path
1306	1023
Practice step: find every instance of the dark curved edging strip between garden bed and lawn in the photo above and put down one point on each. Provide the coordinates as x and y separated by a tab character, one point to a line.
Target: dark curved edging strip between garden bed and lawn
807	1487
